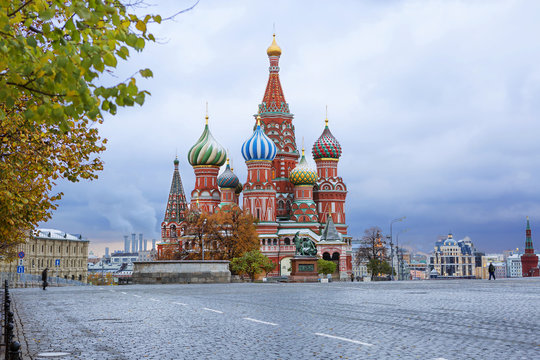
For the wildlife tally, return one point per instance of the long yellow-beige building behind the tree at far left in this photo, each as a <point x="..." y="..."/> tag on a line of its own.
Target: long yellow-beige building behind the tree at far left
<point x="65" y="255"/>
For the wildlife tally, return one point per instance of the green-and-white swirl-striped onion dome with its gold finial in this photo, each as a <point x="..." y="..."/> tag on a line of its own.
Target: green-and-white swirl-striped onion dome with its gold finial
<point x="207" y="151"/>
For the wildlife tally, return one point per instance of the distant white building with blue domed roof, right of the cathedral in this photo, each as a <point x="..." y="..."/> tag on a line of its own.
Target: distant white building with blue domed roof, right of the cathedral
<point x="453" y="258"/>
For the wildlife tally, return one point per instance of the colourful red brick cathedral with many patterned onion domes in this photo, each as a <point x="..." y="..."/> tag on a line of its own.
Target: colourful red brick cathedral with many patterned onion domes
<point x="284" y="193"/>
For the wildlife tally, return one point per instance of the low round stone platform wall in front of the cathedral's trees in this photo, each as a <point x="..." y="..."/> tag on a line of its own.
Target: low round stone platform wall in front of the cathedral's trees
<point x="181" y="272"/>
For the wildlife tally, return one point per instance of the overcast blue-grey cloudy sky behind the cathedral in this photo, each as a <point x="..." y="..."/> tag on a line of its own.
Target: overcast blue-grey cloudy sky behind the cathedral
<point x="435" y="104"/>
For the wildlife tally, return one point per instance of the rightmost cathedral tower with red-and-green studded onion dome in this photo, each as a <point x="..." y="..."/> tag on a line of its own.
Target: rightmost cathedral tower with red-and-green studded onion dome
<point x="330" y="191"/>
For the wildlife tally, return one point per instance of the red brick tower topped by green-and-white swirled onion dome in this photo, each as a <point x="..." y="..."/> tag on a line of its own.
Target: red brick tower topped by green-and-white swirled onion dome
<point x="206" y="157"/>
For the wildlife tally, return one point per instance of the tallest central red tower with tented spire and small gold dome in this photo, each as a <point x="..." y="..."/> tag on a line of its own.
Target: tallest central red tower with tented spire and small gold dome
<point x="276" y="120"/>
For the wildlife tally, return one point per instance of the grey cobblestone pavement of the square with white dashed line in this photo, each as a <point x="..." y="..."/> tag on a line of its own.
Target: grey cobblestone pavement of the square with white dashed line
<point x="456" y="319"/>
